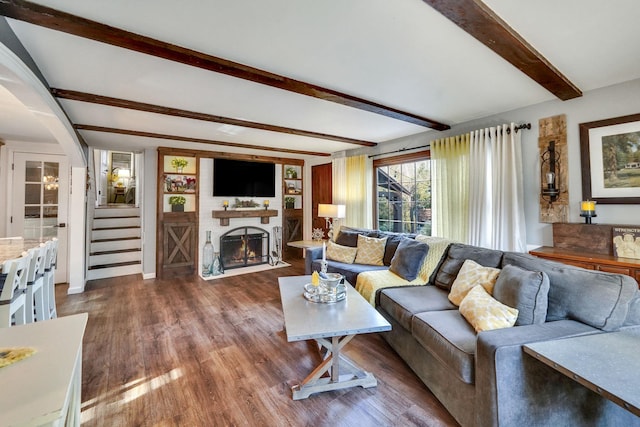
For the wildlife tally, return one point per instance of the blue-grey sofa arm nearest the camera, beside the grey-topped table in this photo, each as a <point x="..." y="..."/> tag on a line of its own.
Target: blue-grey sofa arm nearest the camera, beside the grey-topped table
<point x="512" y="388"/>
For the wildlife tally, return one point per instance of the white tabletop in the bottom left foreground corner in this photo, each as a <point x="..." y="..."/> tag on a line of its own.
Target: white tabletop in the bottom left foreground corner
<point x="45" y="388"/>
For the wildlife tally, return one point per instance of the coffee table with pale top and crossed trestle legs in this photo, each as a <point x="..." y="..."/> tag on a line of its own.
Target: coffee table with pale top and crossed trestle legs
<point x="332" y="326"/>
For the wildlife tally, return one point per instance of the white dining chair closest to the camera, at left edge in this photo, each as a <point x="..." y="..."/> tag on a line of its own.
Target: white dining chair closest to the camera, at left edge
<point x="13" y="295"/>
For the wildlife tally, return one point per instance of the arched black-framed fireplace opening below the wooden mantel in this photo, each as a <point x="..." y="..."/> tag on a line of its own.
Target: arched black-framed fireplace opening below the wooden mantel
<point x="243" y="247"/>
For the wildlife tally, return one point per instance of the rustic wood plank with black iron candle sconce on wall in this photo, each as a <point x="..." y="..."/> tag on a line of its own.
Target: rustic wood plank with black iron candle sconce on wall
<point x="552" y="143"/>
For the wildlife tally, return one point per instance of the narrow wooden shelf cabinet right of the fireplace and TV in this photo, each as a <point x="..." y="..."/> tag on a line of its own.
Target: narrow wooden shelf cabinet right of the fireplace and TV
<point x="292" y="203"/>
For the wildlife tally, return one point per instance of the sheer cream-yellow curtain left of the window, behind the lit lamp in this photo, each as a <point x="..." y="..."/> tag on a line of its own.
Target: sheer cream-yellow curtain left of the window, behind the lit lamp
<point x="352" y="187"/>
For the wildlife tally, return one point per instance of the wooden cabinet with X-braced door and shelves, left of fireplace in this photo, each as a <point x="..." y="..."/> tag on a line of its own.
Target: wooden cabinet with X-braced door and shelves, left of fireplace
<point x="177" y="224"/>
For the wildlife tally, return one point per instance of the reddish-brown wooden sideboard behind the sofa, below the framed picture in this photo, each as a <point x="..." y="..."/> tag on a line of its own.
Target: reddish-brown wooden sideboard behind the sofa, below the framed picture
<point x="606" y="263"/>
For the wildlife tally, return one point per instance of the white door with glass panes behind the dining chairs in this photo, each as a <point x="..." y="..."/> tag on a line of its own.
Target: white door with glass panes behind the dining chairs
<point x="40" y="202"/>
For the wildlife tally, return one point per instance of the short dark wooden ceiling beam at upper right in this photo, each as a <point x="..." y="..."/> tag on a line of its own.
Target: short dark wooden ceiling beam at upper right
<point x="477" y="19"/>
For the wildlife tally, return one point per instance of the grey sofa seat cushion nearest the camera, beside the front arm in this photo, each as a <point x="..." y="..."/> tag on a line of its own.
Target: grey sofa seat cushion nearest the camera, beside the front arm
<point x="450" y="339"/>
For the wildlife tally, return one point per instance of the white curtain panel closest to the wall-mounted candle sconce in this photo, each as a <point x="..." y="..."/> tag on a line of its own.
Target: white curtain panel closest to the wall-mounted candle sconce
<point x="496" y="203"/>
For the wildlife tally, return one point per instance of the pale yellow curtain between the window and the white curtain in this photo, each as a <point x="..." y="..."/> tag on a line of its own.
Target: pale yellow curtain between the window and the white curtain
<point x="450" y="187"/>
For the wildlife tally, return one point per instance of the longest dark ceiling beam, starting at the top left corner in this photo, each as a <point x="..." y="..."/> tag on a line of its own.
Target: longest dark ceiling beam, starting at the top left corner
<point x="81" y="27"/>
